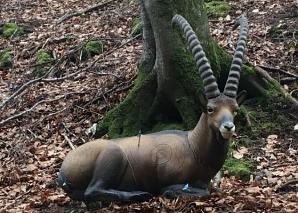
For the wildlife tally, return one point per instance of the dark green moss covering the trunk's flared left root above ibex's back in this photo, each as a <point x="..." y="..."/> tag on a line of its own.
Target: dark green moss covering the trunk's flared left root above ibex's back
<point x="131" y="115"/>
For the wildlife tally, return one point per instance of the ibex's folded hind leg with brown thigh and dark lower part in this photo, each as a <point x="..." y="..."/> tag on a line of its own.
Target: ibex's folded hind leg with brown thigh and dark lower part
<point x="109" y="170"/>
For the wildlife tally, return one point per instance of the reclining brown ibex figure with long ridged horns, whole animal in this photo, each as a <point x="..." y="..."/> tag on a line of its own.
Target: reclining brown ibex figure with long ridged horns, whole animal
<point x="169" y="162"/>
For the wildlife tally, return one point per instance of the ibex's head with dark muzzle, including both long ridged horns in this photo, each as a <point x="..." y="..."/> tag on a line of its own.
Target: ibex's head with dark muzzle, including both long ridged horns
<point x="219" y="106"/>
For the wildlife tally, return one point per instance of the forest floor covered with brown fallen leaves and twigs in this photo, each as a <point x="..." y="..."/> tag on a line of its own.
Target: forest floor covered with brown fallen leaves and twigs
<point x="37" y="124"/>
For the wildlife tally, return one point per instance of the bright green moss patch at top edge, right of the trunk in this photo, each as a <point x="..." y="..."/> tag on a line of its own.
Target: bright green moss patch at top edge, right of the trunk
<point x="217" y="8"/>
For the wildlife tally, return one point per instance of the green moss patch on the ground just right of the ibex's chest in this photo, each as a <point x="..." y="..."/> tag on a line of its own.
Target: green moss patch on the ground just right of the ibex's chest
<point x="238" y="167"/>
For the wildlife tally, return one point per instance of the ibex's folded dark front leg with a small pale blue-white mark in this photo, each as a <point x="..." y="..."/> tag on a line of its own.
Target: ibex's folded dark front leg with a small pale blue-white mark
<point x="176" y="190"/>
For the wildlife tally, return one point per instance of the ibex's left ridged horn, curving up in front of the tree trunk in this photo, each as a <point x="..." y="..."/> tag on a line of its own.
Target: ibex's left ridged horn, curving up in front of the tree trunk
<point x="209" y="81"/>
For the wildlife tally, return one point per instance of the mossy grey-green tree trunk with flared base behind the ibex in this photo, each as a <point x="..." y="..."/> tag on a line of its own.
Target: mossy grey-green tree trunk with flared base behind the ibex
<point x="168" y="86"/>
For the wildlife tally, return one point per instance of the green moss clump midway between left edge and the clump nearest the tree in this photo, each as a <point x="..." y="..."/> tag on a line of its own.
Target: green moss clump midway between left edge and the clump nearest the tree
<point x="43" y="60"/>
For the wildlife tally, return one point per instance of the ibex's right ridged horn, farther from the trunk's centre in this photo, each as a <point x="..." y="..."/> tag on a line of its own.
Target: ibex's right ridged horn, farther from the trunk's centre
<point x="232" y="83"/>
